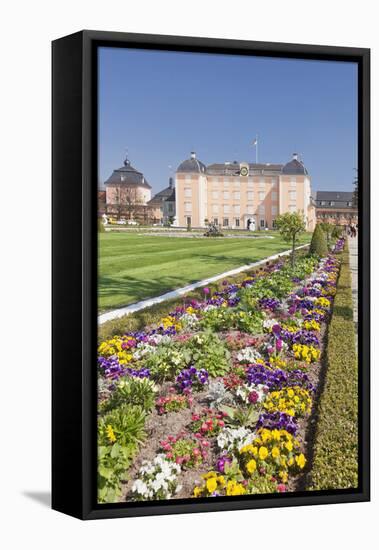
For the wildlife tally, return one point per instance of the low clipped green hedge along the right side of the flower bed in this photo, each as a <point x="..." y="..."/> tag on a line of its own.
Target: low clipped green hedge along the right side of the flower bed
<point x="335" y="462"/>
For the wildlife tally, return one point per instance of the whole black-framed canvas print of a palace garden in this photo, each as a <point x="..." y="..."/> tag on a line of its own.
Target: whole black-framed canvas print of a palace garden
<point x="210" y="274"/>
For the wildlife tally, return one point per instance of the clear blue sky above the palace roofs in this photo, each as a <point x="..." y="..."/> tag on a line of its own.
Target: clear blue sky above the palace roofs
<point x="161" y="105"/>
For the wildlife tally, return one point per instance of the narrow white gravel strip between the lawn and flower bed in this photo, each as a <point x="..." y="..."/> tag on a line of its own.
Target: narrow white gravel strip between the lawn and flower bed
<point x="120" y="312"/>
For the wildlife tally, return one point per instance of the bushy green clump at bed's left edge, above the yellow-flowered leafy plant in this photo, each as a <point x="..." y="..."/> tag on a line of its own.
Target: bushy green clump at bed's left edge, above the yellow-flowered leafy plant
<point x="132" y="391"/>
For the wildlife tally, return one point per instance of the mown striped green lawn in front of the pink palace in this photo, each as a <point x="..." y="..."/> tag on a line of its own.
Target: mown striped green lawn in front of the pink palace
<point x="133" y="267"/>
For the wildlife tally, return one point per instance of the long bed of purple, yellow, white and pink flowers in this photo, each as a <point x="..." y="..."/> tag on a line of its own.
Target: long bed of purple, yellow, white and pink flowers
<point x="218" y="392"/>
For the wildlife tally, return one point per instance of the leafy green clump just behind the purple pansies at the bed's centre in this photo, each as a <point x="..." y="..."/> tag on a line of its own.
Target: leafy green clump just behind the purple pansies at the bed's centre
<point x="207" y="351"/>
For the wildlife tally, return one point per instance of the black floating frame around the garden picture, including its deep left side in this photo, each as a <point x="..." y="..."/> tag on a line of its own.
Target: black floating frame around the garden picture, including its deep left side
<point x="74" y="315"/>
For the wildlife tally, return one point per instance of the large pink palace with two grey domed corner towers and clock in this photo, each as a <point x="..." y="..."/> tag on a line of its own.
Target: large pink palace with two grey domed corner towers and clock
<point x="241" y="194"/>
